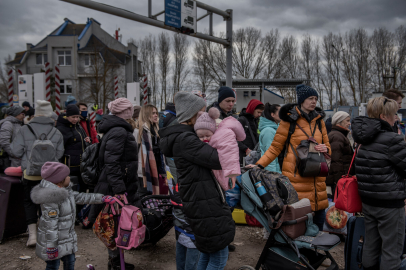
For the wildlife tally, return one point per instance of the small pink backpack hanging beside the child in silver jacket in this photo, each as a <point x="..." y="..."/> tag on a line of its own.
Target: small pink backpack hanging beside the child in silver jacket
<point x="131" y="230"/>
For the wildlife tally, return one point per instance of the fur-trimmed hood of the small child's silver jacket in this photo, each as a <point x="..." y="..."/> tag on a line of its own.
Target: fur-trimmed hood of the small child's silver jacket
<point x="47" y="192"/>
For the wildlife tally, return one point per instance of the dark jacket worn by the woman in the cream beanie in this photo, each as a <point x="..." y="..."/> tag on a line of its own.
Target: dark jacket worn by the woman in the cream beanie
<point x="341" y="155"/>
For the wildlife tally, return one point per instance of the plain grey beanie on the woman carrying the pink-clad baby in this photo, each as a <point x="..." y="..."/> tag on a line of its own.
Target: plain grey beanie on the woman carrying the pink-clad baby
<point x="187" y="105"/>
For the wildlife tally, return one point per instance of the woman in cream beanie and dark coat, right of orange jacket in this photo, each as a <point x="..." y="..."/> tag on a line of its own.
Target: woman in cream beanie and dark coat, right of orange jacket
<point x="341" y="150"/>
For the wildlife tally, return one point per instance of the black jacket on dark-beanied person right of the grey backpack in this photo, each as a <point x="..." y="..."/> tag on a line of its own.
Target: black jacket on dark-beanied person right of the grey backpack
<point x="74" y="143"/>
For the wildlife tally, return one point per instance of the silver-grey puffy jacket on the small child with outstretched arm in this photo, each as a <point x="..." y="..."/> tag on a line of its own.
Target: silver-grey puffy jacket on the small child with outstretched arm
<point x="56" y="227"/>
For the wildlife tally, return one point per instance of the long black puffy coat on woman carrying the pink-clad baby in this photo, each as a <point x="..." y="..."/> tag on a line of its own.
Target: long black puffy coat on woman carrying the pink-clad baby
<point x="203" y="200"/>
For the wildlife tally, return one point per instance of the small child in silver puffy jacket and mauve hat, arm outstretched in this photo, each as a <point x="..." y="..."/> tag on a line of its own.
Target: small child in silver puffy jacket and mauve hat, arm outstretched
<point x="56" y="237"/>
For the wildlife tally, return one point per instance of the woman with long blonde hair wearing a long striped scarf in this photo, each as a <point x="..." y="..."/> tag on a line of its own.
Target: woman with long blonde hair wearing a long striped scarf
<point x="151" y="166"/>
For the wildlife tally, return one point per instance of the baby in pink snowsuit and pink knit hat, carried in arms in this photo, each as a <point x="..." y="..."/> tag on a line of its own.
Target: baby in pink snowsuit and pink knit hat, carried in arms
<point x="224" y="139"/>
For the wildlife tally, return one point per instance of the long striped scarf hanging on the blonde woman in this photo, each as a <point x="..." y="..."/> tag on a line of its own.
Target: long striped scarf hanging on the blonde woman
<point x="149" y="168"/>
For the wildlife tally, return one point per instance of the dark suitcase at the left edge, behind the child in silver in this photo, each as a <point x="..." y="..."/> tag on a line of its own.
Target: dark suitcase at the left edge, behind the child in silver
<point x="12" y="213"/>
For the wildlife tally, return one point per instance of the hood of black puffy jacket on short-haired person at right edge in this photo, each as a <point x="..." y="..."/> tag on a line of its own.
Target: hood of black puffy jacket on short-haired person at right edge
<point x="365" y="129"/>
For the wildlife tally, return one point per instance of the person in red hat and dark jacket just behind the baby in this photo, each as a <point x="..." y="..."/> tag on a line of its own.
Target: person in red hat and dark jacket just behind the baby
<point x="249" y="118"/>
